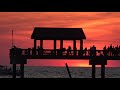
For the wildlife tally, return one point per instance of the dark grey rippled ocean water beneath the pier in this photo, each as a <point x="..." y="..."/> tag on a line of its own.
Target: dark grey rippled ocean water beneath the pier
<point x="61" y="72"/>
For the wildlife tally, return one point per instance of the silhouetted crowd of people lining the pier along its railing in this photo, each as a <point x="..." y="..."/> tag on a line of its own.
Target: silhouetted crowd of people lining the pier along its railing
<point x="92" y="51"/>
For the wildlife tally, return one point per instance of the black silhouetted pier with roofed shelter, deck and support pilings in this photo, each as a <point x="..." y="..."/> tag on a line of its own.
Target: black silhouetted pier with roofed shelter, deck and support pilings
<point x="95" y="57"/>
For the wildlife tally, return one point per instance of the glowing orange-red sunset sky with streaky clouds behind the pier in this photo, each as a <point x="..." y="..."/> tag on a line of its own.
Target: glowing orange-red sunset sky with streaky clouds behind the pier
<point x="100" y="28"/>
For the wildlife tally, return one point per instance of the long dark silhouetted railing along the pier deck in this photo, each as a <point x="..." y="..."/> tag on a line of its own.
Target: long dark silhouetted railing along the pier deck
<point x="59" y="52"/>
